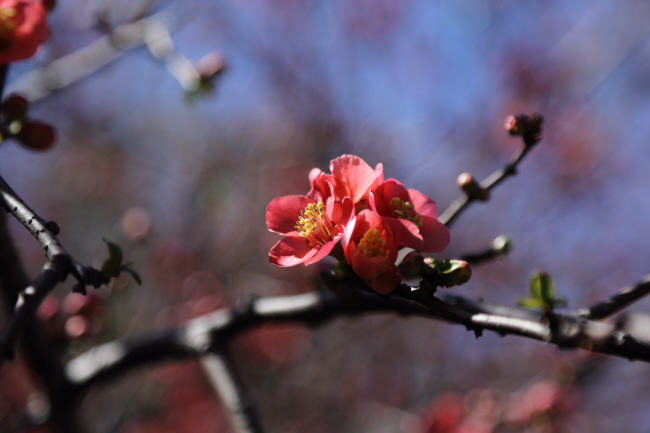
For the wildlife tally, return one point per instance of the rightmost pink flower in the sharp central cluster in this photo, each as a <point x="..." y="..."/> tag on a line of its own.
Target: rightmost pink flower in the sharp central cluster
<point x="411" y="216"/>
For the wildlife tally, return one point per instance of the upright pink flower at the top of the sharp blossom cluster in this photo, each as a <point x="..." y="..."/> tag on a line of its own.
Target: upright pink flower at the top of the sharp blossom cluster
<point x="351" y="177"/>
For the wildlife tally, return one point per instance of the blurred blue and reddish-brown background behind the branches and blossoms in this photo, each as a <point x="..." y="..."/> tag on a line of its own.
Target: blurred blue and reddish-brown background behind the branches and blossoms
<point x="182" y="183"/>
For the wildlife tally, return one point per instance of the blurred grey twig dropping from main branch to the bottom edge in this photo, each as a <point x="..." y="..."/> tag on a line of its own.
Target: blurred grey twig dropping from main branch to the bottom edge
<point x="241" y="405"/>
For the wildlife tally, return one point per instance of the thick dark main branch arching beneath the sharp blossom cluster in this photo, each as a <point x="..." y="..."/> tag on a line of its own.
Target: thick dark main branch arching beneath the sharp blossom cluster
<point x="351" y="297"/>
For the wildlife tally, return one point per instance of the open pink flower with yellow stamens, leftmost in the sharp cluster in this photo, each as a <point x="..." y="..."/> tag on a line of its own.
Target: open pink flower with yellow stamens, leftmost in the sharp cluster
<point x="312" y="228"/>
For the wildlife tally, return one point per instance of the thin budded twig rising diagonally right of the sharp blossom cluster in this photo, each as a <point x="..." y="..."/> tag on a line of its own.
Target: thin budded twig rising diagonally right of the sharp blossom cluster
<point x="530" y="129"/>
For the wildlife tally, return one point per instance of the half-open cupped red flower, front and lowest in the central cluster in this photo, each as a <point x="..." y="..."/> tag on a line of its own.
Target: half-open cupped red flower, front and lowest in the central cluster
<point x="369" y="246"/>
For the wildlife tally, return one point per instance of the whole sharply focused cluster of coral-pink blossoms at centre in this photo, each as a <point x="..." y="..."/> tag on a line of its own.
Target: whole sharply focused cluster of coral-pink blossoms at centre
<point x="355" y="207"/>
